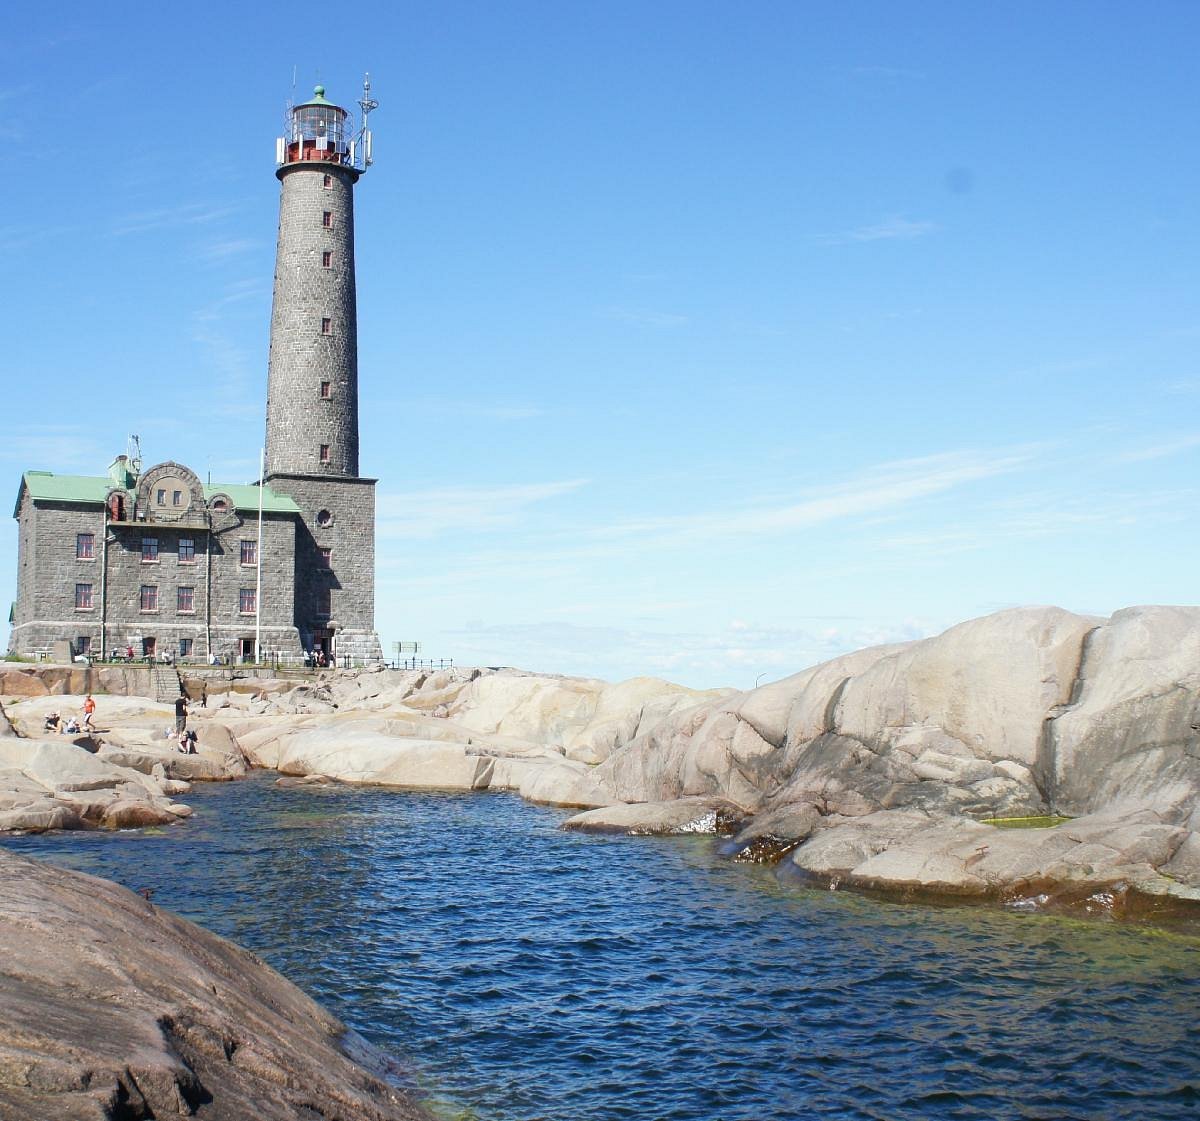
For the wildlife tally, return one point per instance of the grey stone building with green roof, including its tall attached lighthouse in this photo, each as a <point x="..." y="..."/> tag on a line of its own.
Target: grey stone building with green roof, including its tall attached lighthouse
<point x="155" y="561"/>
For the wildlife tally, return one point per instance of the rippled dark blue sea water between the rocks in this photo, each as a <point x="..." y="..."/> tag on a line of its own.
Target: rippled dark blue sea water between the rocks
<point x="525" y="974"/>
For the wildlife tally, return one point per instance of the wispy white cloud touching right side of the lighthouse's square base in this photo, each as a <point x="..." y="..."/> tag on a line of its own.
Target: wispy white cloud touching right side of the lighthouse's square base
<point x="464" y="509"/>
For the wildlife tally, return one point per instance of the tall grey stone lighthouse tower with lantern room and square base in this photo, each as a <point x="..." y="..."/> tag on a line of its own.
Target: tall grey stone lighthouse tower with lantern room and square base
<point x="313" y="392"/>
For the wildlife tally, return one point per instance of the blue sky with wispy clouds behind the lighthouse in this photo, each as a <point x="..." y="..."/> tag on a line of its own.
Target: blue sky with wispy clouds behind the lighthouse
<point x="698" y="340"/>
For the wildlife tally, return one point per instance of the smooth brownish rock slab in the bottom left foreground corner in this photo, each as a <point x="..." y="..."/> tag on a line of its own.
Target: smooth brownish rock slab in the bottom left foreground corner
<point x="113" y="1009"/>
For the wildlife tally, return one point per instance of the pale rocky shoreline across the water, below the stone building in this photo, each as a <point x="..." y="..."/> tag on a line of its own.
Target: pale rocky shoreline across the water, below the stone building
<point x="881" y="771"/>
